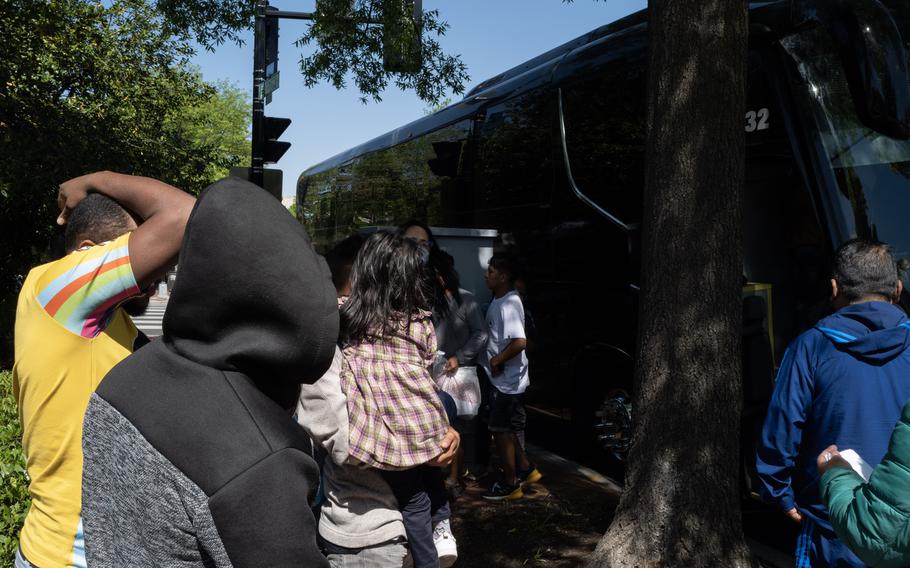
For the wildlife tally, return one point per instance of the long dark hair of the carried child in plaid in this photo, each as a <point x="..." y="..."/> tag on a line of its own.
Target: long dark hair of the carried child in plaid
<point x="390" y="280"/>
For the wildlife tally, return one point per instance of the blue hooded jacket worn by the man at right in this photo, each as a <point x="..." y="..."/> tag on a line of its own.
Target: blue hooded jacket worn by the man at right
<point x="842" y="382"/>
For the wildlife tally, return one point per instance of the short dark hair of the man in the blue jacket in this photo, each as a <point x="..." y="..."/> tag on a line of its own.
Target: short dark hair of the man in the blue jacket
<point x="864" y="268"/>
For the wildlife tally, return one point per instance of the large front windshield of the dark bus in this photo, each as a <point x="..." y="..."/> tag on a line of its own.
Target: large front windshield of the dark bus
<point x="871" y="170"/>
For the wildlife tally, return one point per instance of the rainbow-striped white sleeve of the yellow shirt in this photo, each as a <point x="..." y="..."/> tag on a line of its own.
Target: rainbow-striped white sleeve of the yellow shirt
<point x="82" y="290"/>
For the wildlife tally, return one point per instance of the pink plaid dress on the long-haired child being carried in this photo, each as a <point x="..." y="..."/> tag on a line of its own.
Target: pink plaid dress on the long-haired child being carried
<point x="396" y="418"/>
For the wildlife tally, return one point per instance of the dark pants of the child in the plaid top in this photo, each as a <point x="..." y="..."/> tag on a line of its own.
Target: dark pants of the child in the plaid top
<point x="422" y="500"/>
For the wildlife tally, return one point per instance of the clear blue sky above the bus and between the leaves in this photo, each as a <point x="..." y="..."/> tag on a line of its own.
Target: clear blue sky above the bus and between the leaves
<point x="491" y="36"/>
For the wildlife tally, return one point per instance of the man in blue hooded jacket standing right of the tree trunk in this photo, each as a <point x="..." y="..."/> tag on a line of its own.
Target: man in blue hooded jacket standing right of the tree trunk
<point x="842" y="382"/>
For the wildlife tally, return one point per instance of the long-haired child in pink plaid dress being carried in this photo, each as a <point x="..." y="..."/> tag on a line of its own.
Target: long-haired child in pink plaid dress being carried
<point x="396" y="421"/>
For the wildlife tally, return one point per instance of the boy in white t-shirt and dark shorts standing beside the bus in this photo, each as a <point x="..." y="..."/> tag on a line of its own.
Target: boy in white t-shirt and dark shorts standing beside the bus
<point x="506" y="363"/>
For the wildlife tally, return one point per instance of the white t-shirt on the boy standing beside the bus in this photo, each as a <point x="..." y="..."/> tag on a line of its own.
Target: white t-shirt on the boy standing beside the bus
<point x="505" y="322"/>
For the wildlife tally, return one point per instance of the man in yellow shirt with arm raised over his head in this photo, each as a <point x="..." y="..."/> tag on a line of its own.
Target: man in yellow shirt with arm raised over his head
<point x="71" y="329"/>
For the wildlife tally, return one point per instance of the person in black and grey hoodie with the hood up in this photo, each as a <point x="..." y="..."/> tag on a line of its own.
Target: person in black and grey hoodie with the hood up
<point x="191" y="456"/>
